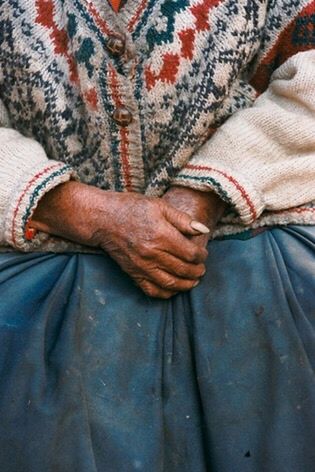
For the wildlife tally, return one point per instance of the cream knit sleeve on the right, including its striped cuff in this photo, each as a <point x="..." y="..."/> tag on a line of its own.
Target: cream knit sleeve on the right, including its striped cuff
<point x="263" y="158"/>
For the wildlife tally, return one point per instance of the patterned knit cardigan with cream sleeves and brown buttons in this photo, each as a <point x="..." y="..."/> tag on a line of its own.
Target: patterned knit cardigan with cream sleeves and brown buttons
<point x="141" y="100"/>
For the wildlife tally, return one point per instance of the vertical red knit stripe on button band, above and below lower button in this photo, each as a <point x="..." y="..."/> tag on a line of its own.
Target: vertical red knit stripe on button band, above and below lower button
<point x="124" y="132"/>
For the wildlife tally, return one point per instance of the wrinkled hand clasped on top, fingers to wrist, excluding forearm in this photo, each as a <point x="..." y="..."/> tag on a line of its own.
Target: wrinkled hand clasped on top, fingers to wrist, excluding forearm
<point x="146" y="238"/>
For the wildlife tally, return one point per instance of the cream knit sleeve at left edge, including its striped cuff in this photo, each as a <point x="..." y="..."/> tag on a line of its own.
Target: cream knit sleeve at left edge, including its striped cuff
<point x="26" y="174"/>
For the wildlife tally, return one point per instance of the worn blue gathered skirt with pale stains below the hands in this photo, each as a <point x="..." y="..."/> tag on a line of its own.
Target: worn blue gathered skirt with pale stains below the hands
<point x="96" y="376"/>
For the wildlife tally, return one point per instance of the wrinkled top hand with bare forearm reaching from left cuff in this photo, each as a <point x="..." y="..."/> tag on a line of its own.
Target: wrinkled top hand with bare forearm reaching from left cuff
<point x="146" y="236"/>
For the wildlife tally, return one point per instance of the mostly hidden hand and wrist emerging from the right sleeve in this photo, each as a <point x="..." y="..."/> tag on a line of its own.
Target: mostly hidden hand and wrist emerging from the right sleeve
<point x="205" y="207"/>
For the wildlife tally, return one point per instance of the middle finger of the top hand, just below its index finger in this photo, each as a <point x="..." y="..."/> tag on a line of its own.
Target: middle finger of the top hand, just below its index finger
<point x="178" y="267"/>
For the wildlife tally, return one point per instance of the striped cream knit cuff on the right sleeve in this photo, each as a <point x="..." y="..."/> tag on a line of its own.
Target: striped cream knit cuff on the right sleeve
<point x="229" y="185"/>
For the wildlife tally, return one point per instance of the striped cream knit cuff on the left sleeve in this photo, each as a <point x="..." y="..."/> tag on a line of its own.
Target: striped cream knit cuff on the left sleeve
<point x="37" y="181"/>
